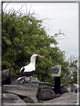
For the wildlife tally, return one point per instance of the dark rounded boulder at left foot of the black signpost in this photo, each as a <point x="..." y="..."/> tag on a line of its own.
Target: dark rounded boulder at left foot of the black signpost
<point x="45" y="94"/>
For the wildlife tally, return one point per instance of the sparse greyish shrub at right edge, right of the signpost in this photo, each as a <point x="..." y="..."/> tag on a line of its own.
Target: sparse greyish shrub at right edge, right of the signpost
<point x="71" y="75"/>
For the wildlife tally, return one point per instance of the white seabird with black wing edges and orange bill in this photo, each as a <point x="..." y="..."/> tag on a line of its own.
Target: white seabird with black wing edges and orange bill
<point x="28" y="70"/>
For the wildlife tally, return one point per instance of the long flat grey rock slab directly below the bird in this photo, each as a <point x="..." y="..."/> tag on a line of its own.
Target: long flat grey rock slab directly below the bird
<point x="24" y="89"/>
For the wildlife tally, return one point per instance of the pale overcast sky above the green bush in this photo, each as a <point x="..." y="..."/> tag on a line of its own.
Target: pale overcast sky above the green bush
<point x="58" y="16"/>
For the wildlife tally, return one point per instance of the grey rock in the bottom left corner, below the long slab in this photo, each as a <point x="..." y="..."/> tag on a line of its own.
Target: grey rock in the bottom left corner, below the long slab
<point x="11" y="98"/>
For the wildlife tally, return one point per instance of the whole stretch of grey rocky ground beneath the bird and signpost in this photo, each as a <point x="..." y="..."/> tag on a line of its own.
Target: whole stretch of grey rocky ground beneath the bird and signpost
<point x="35" y="92"/>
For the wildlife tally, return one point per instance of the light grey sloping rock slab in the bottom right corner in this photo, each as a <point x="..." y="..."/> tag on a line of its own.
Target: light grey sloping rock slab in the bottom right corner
<point x="64" y="98"/>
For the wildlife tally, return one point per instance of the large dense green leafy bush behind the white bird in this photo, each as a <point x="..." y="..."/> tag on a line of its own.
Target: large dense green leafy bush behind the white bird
<point x="24" y="36"/>
